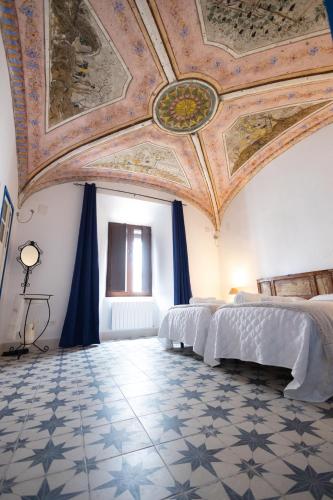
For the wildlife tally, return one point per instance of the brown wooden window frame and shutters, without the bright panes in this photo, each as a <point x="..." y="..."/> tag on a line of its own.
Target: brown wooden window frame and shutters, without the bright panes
<point x="130" y="228"/>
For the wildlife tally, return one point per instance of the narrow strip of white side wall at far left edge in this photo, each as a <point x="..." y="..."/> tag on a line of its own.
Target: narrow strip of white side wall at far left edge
<point x="8" y="165"/>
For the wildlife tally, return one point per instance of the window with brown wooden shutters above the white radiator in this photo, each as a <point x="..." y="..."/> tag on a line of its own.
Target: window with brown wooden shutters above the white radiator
<point x="129" y="261"/>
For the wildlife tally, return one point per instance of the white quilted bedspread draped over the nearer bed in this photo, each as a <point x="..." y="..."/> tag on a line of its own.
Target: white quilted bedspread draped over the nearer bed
<point x="277" y="337"/>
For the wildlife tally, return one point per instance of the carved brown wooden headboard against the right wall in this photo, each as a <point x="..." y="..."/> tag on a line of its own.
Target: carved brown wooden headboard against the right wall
<point x="304" y="285"/>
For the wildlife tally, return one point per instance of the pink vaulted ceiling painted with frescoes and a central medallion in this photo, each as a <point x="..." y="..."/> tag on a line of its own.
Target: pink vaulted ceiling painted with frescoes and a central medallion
<point x="191" y="97"/>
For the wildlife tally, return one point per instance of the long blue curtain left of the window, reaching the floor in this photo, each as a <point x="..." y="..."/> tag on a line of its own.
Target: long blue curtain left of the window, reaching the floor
<point x="81" y="326"/>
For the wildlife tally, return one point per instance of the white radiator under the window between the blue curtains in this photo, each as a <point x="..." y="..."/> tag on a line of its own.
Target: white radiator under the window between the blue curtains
<point x="132" y="315"/>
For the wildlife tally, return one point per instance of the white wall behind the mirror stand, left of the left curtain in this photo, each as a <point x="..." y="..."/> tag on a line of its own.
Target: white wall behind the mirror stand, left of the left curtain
<point x="54" y="227"/>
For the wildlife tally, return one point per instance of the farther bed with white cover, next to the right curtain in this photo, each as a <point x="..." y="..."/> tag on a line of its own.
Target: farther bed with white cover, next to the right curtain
<point x="188" y="324"/>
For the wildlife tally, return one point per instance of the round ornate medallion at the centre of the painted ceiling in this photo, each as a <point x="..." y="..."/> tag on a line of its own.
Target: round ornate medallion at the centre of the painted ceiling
<point x="186" y="106"/>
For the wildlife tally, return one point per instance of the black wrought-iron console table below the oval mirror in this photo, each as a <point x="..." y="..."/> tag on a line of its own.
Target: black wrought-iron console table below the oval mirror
<point x="21" y="348"/>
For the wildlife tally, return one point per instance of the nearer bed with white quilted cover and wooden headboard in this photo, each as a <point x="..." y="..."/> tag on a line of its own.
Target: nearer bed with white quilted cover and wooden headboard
<point x="285" y="334"/>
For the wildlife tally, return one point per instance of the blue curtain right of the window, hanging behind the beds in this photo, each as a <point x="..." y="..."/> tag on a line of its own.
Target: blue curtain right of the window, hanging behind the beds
<point x="181" y="275"/>
